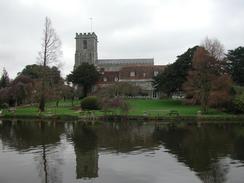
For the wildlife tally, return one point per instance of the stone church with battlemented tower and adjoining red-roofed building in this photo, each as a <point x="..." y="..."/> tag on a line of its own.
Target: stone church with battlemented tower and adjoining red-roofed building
<point x="136" y="71"/>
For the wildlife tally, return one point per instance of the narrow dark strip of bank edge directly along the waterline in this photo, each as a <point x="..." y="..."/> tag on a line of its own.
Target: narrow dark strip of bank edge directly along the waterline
<point x="120" y="118"/>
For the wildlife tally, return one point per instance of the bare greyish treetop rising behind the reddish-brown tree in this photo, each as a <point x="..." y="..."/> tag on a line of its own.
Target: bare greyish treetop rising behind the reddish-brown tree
<point x="214" y="48"/>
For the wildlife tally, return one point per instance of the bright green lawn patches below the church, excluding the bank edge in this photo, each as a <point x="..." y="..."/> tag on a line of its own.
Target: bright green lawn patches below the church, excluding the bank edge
<point x="137" y="107"/>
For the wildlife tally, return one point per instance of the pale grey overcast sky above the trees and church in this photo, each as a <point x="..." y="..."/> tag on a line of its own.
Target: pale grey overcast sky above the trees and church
<point x="159" y="29"/>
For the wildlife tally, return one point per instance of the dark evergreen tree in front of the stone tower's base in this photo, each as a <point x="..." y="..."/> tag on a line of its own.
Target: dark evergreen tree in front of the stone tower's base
<point x="85" y="76"/>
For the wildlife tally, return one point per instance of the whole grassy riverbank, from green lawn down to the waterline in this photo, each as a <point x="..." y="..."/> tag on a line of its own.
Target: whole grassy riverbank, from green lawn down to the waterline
<point x="140" y="110"/>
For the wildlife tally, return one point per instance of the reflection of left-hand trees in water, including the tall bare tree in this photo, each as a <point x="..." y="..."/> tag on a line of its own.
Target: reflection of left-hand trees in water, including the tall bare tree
<point x="24" y="136"/>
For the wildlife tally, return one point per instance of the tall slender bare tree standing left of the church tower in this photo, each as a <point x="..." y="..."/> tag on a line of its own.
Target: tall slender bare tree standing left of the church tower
<point x="49" y="54"/>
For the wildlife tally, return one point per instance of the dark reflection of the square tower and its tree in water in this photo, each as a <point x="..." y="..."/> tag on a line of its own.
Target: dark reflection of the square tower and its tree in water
<point x="85" y="145"/>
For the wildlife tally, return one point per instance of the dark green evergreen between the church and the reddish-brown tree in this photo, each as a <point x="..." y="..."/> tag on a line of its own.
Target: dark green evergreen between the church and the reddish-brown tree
<point x="174" y="75"/>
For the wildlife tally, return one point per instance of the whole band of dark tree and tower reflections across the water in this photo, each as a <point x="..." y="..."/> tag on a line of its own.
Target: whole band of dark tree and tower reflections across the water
<point x="202" y="149"/>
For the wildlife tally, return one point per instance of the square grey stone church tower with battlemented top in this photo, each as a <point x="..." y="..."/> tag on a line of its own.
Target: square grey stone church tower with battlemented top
<point x="86" y="48"/>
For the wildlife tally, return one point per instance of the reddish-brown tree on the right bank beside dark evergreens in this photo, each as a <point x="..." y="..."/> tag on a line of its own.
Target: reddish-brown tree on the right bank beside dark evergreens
<point x="205" y="85"/>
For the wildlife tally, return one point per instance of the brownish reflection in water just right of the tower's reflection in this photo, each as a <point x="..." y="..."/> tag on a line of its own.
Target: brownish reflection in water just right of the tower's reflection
<point x="126" y="137"/>
